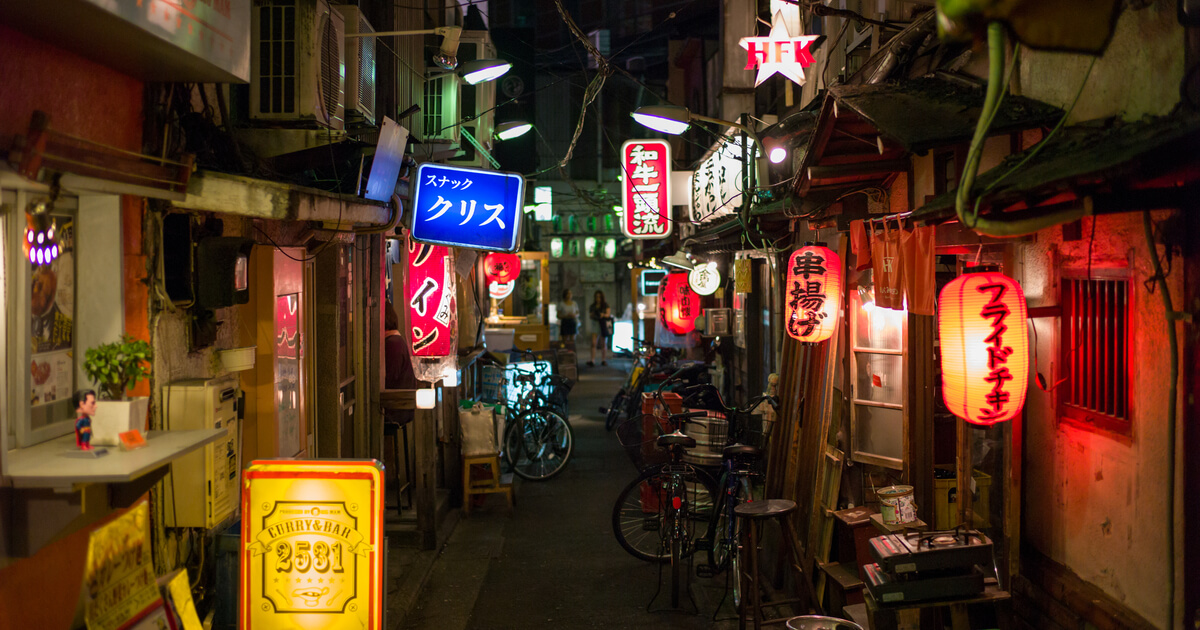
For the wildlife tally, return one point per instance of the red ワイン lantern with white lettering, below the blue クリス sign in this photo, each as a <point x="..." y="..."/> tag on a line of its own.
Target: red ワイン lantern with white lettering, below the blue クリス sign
<point x="433" y="310"/>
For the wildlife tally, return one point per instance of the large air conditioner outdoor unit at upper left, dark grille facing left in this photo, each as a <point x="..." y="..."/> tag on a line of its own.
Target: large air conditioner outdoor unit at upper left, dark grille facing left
<point x="298" y="69"/>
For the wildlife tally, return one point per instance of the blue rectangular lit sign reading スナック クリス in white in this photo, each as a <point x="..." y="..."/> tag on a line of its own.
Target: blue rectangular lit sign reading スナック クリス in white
<point x="469" y="208"/>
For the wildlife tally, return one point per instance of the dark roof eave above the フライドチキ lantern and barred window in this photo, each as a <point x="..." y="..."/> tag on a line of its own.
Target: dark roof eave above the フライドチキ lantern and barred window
<point x="1121" y="166"/>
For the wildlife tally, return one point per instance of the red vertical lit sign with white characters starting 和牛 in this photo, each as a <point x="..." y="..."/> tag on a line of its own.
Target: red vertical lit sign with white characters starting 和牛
<point x="646" y="197"/>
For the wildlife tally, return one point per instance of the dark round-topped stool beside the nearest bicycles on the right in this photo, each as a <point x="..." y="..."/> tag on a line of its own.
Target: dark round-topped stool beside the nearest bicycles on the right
<point x="752" y="515"/>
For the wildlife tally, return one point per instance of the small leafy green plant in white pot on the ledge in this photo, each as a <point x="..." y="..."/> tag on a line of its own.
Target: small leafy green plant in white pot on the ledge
<point x="116" y="369"/>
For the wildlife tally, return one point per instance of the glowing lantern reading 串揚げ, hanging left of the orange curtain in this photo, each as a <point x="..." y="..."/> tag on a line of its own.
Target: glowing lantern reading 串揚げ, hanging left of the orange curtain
<point x="813" y="295"/>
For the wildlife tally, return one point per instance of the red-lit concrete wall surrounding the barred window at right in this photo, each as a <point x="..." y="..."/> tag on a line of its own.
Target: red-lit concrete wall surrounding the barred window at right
<point x="1093" y="503"/>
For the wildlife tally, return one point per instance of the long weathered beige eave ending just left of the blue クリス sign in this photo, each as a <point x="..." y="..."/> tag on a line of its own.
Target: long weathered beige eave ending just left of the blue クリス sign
<point x="232" y="195"/>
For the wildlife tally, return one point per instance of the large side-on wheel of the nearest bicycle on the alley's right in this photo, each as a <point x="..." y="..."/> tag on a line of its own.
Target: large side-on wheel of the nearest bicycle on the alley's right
<point x="640" y="517"/>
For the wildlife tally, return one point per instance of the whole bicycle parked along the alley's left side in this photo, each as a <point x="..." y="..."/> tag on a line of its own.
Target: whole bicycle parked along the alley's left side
<point x="539" y="441"/>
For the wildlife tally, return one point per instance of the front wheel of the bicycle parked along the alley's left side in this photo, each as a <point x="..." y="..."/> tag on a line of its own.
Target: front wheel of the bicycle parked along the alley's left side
<point x="539" y="445"/>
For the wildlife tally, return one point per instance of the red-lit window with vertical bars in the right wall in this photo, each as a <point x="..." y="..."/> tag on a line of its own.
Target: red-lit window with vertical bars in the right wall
<point x="1095" y="351"/>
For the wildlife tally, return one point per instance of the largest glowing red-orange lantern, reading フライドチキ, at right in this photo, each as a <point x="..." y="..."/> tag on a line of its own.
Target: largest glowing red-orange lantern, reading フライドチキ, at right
<point x="986" y="347"/>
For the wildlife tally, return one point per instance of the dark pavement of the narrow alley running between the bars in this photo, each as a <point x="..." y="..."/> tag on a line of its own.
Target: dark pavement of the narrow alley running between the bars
<point x="554" y="562"/>
